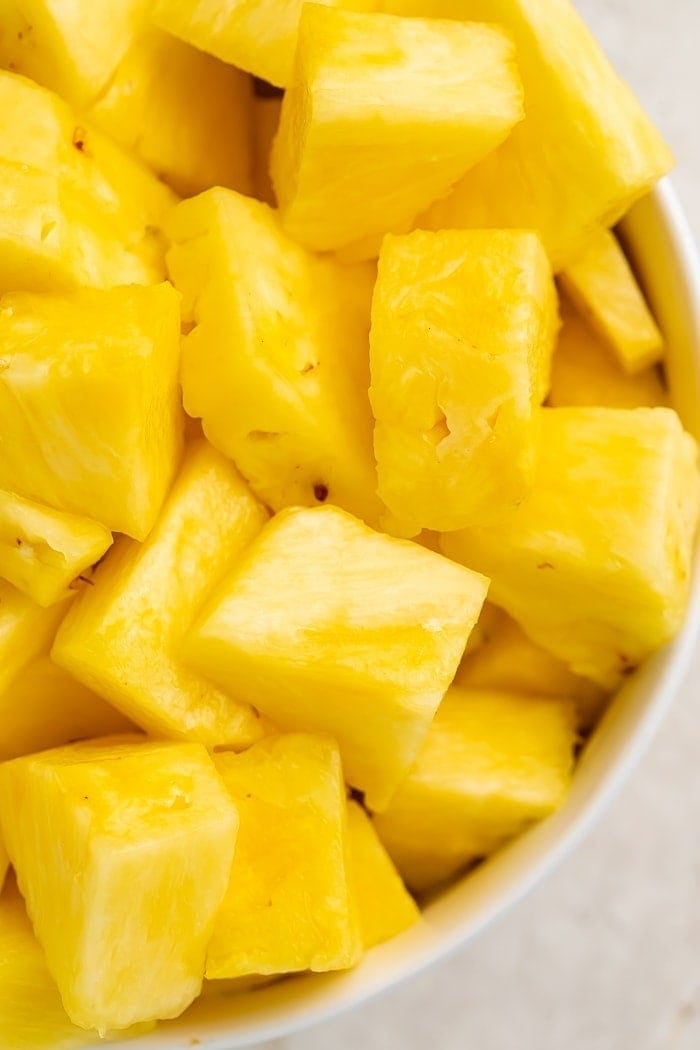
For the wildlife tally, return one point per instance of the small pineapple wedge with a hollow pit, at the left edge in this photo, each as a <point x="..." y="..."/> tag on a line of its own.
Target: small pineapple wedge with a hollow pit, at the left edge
<point x="44" y="552"/>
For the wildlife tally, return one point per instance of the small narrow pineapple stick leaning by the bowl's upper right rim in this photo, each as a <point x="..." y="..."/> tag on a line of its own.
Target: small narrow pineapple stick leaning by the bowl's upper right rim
<point x="602" y="285"/>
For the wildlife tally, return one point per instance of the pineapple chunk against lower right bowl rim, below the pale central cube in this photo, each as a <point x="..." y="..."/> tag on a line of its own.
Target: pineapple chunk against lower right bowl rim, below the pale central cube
<point x="493" y="764"/>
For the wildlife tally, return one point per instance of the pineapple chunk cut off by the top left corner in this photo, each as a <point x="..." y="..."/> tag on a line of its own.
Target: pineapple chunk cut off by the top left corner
<point x="72" y="48"/>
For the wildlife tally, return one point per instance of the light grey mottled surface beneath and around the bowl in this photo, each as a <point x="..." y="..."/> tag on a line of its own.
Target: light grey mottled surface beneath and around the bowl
<point x="605" y="955"/>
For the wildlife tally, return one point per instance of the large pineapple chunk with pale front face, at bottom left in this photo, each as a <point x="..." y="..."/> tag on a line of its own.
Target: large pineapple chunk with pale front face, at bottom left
<point x="126" y="867"/>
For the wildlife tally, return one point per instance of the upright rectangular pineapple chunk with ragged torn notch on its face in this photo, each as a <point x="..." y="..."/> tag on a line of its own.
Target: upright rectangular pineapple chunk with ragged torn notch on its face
<point x="463" y="327"/>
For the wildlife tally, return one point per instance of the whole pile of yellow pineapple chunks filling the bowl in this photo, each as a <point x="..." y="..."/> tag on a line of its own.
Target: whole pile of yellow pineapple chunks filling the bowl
<point x="289" y="392"/>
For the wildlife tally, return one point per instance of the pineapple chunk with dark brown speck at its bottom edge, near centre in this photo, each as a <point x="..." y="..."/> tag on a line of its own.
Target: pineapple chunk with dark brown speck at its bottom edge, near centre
<point x="277" y="364"/>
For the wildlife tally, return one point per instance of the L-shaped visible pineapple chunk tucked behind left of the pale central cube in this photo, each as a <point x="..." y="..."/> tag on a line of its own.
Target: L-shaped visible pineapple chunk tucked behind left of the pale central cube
<point x="123" y="637"/>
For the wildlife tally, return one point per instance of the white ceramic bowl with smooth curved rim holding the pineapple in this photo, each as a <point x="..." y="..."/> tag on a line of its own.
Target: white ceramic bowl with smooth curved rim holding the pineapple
<point x="661" y="245"/>
